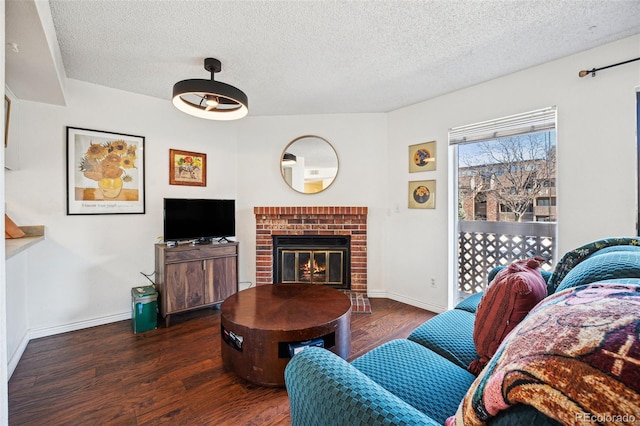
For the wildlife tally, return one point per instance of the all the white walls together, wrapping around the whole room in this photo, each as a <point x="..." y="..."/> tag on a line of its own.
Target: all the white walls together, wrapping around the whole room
<point x="82" y="273"/>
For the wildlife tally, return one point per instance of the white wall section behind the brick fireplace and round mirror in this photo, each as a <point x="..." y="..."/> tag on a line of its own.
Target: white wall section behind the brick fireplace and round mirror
<point x="360" y="142"/>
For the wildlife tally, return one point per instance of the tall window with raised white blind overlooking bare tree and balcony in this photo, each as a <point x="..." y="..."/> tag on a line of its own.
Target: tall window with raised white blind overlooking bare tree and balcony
<point x="505" y="190"/>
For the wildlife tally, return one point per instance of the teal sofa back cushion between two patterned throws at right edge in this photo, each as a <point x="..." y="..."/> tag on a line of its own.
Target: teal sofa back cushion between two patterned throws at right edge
<point x="605" y="266"/>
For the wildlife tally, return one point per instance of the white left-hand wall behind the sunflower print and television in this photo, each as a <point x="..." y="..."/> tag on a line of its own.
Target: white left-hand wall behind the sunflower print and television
<point x="83" y="272"/>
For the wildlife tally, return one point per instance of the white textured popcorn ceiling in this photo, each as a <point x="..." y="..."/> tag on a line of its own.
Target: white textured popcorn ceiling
<point x="304" y="57"/>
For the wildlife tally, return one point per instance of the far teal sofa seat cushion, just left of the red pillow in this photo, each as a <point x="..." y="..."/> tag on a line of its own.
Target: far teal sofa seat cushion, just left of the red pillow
<point x="449" y="334"/>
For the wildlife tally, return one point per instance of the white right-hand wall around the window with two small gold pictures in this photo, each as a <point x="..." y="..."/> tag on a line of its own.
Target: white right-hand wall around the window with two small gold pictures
<point x="596" y="181"/>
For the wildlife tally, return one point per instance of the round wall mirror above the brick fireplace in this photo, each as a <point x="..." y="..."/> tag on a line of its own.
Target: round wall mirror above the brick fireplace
<point x="309" y="164"/>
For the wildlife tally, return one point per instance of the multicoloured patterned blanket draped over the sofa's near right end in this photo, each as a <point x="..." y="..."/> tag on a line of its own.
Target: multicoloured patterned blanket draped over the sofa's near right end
<point x="575" y="358"/>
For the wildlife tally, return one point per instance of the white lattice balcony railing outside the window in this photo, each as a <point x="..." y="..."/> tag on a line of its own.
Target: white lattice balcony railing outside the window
<point x="483" y="245"/>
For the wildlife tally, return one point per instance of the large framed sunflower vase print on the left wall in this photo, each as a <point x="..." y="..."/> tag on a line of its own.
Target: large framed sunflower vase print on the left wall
<point x="105" y="172"/>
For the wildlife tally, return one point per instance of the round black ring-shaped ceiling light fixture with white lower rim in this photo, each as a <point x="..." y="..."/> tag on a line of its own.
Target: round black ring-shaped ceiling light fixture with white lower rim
<point x="210" y="99"/>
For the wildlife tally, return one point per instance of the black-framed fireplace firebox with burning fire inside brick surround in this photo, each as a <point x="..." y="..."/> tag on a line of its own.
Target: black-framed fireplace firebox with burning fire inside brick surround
<point x="314" y="259"/>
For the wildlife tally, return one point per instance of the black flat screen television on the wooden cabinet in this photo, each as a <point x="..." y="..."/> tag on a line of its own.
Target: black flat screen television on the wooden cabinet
<point x="198" y="219"/>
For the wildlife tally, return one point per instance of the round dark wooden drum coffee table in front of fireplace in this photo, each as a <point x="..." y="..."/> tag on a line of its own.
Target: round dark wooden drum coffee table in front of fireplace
<point x="261" y="327"/>
